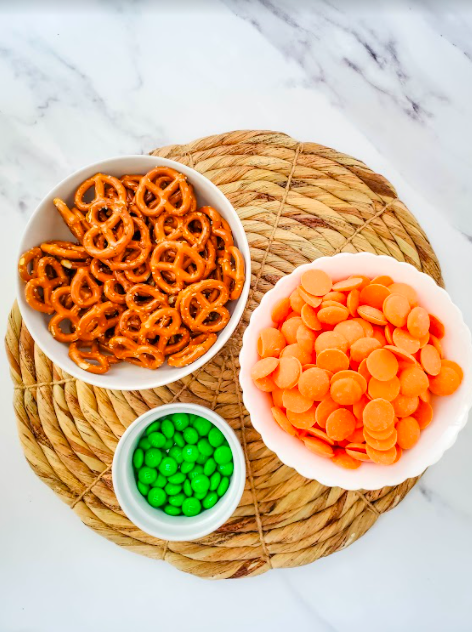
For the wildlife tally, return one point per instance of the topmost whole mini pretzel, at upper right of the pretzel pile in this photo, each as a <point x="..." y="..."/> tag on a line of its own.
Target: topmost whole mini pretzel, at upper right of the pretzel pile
<point x="177" y="182"/>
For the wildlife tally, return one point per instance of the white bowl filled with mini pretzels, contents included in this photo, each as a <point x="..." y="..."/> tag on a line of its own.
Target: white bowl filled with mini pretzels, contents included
<point x="133" y="272"/>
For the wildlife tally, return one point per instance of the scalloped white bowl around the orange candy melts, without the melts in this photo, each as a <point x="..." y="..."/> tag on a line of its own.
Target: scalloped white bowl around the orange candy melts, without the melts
<point x="450" y="413"/>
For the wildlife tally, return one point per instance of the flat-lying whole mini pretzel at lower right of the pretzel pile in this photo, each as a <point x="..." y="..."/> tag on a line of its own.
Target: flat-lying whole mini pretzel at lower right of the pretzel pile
<point x="199" y="310"/>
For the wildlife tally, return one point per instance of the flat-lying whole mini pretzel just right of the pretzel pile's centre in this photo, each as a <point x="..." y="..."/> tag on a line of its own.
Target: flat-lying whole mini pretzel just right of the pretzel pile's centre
<point x="186" y="266"/>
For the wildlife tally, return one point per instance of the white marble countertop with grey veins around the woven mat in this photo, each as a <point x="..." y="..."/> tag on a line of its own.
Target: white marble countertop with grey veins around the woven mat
<point x="389" y="82"/>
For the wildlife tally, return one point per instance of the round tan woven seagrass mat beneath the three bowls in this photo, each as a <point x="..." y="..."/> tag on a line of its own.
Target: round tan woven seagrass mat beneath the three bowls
<point x="297" y="201"/>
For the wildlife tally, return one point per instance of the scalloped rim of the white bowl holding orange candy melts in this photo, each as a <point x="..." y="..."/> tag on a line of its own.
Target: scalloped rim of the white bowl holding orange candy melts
<point x="419" y="466"/>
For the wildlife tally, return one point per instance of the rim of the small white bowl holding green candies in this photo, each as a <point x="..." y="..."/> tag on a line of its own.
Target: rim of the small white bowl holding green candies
<point x="123" y="490"/>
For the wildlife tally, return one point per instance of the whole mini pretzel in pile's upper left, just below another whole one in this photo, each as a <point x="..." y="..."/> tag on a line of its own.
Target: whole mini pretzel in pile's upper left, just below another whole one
<point x="119" y="218"/>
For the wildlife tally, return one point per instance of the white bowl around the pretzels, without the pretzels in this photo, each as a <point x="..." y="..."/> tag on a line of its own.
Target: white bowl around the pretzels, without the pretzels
<point x="46" y="224"/>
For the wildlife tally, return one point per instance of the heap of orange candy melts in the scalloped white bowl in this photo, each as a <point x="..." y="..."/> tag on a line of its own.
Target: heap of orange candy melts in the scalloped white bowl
<point x="352" y="367"/>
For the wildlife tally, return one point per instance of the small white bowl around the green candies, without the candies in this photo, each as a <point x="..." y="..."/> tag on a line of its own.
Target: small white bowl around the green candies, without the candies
<point x="155" y="521"/>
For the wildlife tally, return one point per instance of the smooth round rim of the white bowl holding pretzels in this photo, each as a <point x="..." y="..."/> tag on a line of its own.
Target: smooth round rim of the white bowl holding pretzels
<point x="108" y="380"/>
